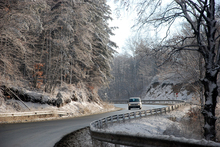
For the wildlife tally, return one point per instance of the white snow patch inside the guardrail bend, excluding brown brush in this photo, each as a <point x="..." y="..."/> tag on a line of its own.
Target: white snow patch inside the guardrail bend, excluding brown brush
<point x="152" y="125"/>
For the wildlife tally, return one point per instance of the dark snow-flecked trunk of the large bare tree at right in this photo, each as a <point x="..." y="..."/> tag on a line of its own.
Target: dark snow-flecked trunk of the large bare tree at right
<point x="210" y="80"/>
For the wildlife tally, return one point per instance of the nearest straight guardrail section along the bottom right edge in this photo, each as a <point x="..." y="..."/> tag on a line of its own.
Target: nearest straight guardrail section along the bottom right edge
<point x="103" y="139"/>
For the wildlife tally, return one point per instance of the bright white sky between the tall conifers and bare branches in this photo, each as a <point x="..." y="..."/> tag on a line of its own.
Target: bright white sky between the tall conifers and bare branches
<point x="127" y="20"/>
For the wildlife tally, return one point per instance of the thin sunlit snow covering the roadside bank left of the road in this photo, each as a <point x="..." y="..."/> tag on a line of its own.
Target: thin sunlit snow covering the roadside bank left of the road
<point x="78" y="107"/>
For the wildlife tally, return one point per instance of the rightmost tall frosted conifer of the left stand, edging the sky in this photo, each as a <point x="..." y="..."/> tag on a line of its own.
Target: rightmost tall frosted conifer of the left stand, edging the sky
<point x="101" y="46"/>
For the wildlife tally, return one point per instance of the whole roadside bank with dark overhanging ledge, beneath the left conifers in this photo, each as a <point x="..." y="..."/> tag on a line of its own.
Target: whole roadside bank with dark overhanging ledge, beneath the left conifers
<point x="73" y="101"/>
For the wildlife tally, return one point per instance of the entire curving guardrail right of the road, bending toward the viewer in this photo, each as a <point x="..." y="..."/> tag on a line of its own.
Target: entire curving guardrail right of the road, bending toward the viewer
<point x="101" y="138"/>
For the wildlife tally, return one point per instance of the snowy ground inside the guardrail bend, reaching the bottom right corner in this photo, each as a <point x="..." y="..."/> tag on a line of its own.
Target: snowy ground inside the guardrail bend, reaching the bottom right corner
<point x="166" y="126"/>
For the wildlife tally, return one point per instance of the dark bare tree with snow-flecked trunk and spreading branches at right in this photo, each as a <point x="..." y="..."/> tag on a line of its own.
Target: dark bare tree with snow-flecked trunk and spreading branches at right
<point x="201" y="16"/>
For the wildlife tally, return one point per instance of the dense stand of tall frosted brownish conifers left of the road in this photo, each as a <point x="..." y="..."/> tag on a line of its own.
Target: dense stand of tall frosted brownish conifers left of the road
<point x="45" y="44"/>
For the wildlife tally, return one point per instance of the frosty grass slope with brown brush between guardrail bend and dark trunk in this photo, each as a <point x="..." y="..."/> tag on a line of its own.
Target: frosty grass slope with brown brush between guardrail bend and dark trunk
<point x="176" y="123"/>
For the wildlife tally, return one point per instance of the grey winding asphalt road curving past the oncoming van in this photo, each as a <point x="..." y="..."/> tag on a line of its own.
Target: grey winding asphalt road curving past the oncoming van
<point x="47" y="133"/>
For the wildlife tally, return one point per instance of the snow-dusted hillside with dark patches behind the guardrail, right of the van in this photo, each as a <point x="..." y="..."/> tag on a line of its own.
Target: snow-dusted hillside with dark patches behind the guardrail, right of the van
<point x="172" y="86"/>
